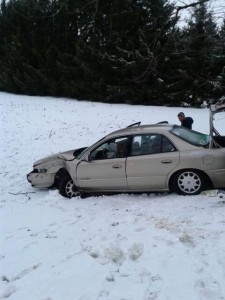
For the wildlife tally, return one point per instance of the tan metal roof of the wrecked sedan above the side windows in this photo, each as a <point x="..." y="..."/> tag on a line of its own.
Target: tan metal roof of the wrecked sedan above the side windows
<point x="142" y="129"/>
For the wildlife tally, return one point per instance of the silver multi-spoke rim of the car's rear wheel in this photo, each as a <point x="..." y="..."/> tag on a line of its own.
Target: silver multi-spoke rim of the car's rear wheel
<point x="189" y="182"/>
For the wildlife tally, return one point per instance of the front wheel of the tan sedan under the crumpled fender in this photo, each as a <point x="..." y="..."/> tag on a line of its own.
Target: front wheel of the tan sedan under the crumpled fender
<point x="67" y="187"/>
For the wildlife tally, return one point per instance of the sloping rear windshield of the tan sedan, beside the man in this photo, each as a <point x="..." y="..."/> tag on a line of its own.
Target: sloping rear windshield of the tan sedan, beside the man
<point x="190" y="136"/>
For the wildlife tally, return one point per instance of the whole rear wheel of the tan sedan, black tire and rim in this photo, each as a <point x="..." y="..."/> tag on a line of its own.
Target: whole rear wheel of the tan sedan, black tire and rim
<point x="188" y="182"/>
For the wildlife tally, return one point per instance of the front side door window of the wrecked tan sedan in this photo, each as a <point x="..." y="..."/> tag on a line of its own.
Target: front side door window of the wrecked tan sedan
<point x="113" y="148"/>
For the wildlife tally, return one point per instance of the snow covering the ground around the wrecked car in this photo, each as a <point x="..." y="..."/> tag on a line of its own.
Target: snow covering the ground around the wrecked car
<point x="123" y="247"/>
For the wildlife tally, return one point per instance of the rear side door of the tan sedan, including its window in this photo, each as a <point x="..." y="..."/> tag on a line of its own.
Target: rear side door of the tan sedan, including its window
<point x="152" y="157"/>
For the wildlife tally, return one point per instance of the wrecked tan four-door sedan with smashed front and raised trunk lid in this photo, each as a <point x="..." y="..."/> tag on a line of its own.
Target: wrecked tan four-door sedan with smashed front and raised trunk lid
<point x="160" y="157"/>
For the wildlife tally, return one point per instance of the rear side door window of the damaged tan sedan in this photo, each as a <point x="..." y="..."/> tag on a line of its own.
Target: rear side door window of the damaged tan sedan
<point x="150" y="144"/>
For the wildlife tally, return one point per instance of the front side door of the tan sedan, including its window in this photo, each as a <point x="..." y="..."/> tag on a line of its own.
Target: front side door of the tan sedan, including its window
<point x="105" y="168"/>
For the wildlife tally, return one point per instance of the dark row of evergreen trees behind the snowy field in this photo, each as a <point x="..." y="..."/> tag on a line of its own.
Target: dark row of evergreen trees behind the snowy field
<point x="130" y="51"/>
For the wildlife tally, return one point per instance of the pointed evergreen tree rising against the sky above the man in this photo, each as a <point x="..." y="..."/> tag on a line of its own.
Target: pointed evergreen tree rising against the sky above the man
<point x="200" y="62"/>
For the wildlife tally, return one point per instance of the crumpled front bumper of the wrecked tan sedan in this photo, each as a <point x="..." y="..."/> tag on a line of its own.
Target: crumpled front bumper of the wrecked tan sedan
<point x="41" y="180"/>
